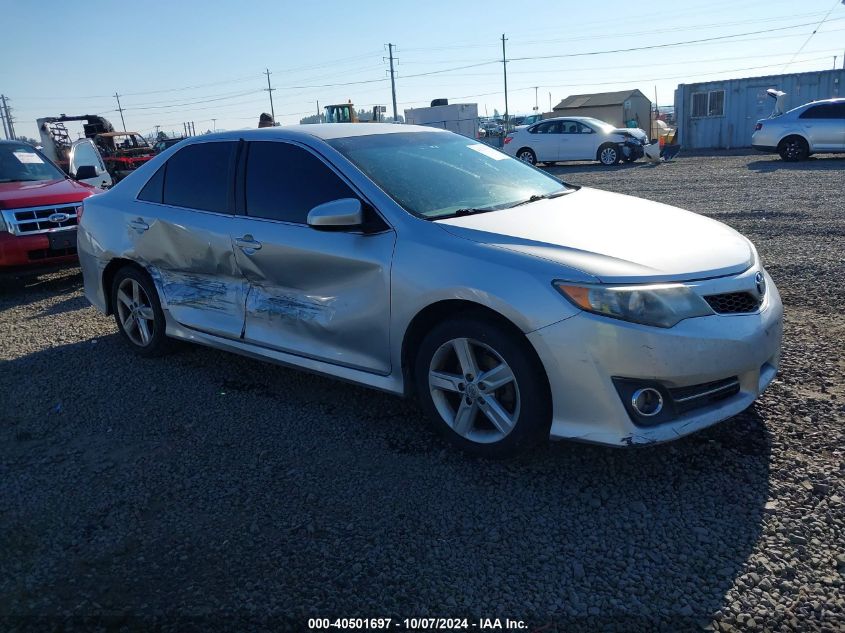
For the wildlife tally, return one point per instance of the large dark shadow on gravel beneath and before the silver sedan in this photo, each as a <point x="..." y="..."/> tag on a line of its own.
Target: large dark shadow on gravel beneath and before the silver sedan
<point x="151" y="476"/>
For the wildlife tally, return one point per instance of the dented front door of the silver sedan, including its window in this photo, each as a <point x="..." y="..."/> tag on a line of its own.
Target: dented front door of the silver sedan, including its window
<point x="318" y="294"/>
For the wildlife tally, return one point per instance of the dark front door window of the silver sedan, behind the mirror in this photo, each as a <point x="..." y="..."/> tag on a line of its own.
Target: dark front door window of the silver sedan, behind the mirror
<point x="284" y="182"/>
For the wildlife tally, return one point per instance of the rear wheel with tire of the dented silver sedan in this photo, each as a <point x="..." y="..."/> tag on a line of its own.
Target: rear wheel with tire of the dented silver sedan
<point x="138" y="313"/>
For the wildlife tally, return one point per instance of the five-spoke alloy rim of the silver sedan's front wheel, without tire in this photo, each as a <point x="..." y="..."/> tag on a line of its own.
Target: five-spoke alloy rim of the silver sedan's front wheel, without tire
<point x="474" y="390"/>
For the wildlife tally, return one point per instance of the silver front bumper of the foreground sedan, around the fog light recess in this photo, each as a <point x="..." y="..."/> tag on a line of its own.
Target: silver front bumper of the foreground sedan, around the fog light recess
<point x="582" y="355"/>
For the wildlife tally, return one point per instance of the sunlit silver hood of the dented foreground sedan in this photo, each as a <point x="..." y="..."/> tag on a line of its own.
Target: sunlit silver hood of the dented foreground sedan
<point x="612" y="237"/>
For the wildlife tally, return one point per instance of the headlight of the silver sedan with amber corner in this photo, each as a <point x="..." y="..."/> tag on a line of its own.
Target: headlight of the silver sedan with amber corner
<point x="662" y="305"/>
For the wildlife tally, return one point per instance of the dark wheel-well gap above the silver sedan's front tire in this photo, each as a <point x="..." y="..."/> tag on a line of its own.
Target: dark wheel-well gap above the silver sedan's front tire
<point x="436" y="313"/>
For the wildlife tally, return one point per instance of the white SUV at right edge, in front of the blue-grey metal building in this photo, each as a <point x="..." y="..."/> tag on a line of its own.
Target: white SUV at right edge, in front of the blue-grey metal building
<point x="813" y="128"/>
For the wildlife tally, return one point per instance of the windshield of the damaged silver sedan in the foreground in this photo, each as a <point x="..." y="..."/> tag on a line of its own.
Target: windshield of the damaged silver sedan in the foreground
<point x="436" y="174"/>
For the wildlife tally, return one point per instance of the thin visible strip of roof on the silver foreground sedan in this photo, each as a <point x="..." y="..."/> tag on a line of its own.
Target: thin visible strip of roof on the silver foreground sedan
<point x="323" y="131"/>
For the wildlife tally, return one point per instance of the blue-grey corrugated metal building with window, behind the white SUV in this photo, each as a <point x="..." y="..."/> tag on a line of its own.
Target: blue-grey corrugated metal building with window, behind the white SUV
<point x="722" y="114"/>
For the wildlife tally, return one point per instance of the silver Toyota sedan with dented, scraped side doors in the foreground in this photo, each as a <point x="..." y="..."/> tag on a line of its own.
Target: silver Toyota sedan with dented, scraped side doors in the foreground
<point x="417" y="261"/>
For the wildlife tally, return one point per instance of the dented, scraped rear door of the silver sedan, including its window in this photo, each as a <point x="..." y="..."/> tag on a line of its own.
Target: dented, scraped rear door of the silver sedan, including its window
<point x="181" y="227"/>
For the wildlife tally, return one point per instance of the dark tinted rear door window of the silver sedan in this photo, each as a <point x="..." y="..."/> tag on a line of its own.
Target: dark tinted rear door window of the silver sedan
<point x="200" y="177"/>
